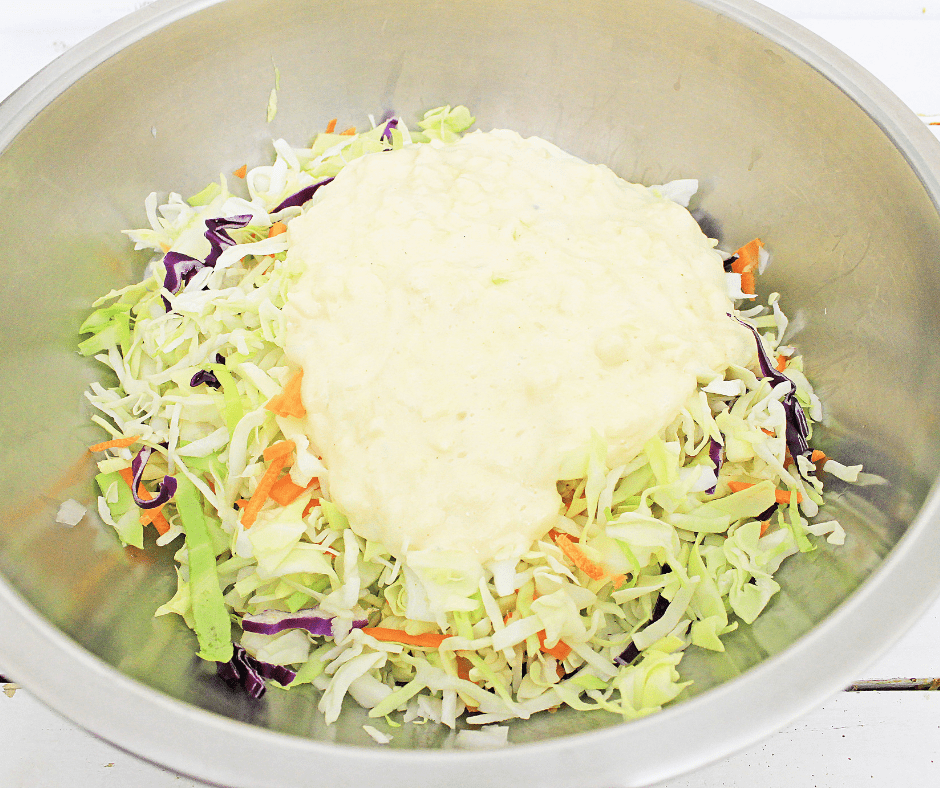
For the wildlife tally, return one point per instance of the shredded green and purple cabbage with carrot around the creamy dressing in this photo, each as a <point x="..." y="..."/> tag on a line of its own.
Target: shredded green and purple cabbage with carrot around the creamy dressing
<point x="674" y="549"/>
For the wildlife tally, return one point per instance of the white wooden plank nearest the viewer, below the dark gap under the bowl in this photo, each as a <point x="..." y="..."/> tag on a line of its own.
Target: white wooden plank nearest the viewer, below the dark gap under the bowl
<point x="877" y="739"/>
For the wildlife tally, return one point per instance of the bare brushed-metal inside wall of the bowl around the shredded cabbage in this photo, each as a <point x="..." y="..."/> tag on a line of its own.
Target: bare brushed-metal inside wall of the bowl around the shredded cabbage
<point x="655" y="89"/>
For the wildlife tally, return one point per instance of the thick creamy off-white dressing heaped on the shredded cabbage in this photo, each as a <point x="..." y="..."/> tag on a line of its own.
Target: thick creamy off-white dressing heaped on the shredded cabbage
<point x="471" y="312"/>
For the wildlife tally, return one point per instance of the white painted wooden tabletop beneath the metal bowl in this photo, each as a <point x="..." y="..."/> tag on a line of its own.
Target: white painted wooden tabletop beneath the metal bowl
<point x="878" y="739"/>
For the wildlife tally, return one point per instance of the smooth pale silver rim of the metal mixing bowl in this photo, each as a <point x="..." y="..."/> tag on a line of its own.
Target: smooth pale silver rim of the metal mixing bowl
<point x="255" y="755"/>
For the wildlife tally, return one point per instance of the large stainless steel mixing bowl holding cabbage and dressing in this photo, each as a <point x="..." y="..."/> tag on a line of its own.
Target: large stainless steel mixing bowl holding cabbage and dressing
<point x="792" y="142"/>
